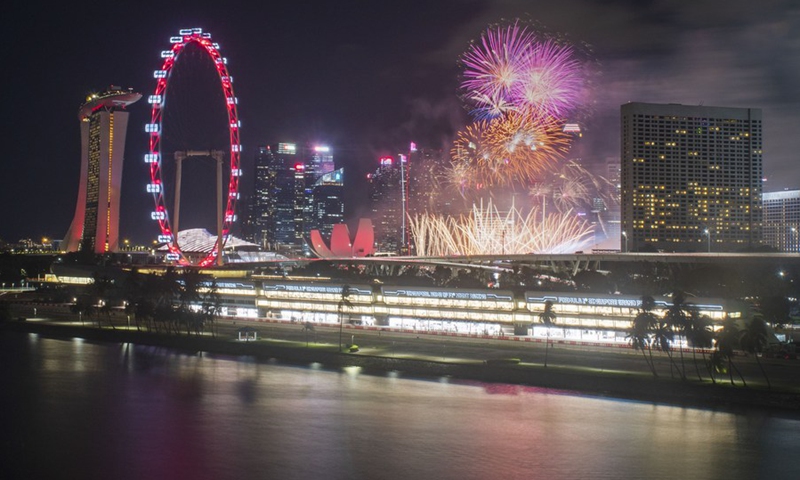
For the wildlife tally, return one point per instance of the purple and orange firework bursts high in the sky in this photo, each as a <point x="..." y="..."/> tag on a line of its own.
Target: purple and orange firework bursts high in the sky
<point x="520" y="86"/>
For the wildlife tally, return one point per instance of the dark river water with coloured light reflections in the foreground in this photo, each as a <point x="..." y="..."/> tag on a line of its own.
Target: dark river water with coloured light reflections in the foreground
<point x="75" y="409"/>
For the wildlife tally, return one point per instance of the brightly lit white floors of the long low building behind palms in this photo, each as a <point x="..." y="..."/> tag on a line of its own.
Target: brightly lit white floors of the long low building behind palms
<point x="581" y="317"/>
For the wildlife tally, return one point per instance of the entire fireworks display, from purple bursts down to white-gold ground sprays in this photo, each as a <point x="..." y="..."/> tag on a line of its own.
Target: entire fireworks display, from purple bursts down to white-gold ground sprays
<point x="521" y="87"/>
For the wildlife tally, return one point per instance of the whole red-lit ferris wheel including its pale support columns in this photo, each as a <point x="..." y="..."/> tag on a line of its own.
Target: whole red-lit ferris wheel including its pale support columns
<point x="154" y="158"/>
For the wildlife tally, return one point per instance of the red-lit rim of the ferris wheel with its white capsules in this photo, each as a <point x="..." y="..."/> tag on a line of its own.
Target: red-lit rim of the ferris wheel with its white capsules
<point x="154" y="157"/>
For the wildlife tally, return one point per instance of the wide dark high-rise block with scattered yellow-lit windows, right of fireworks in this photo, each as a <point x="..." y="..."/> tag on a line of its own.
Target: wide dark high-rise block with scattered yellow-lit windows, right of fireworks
<point x="691" y="178"/>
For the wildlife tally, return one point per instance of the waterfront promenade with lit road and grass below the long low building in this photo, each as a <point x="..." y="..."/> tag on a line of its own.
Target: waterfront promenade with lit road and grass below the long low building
<point x="594" y="369"/>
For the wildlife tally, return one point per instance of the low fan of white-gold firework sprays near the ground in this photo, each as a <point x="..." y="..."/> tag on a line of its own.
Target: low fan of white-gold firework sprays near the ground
<point x="487" y="231"/>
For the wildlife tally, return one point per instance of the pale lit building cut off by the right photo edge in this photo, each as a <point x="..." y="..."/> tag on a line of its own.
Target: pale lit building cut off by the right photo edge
<point x="782" y="220"/>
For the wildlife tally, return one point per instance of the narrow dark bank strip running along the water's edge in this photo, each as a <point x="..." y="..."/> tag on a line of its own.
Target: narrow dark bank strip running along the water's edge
<point x="617" y="386"/>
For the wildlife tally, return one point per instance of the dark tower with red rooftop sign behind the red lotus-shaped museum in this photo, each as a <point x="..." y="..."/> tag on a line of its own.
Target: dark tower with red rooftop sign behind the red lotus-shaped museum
<point x="386" y="197"/>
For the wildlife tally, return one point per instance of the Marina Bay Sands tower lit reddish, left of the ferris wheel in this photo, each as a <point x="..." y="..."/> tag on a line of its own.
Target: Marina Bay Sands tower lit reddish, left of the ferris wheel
<point x="104" y="122"/>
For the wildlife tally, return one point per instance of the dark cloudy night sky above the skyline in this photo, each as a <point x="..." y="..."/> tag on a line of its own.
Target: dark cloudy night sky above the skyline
<point x="366" y="77"/>
